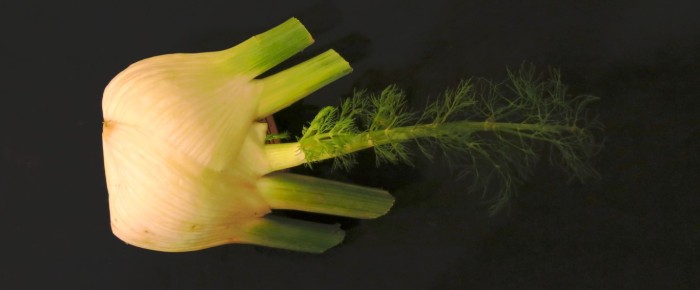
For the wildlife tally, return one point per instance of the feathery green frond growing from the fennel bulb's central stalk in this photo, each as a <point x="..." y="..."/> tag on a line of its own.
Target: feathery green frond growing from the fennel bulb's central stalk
<point x="495" y="132"/>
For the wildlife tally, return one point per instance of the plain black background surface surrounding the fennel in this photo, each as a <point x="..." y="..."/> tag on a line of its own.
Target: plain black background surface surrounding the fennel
<point x="639" y="227"/>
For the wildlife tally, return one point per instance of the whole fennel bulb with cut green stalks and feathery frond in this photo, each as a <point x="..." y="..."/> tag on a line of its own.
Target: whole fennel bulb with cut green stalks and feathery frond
<point x="187" y="167"/>
